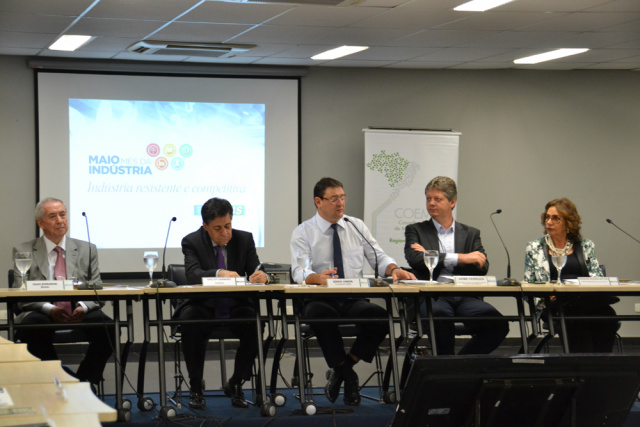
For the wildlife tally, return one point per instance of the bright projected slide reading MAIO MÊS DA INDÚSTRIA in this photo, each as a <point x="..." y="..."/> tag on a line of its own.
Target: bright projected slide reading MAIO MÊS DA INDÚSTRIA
<point x="142" y="154"/>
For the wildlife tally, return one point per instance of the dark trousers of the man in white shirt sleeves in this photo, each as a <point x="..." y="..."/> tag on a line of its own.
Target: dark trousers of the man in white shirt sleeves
<point x="369" y="335"/>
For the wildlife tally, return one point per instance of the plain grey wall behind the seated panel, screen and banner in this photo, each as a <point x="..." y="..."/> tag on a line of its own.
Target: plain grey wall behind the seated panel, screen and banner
<point x="527" y="137"/>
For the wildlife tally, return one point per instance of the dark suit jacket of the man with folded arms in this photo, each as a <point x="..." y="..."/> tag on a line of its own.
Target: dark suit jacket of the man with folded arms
<point x="467" y="239"/>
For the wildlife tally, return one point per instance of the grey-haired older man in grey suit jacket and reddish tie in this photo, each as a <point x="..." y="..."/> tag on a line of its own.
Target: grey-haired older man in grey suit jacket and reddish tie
<point x="51" y="217"/>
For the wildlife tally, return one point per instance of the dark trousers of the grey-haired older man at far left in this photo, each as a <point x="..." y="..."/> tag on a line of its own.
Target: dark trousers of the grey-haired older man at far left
<point x="101" y="338"/>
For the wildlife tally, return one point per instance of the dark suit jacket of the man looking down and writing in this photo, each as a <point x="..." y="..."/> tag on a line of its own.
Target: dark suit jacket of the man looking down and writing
<point x="200" y="260"/>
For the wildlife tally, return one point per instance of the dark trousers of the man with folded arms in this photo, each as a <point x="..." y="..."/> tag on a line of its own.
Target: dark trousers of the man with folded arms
<point x="486" y="335"/>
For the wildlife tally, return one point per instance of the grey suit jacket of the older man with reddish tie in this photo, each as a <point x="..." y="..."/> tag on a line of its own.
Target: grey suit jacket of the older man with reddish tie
<point x="77" y="264"/>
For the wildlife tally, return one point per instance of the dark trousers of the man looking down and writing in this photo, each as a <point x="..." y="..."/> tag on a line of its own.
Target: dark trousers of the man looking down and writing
<point x="195" y="338"/>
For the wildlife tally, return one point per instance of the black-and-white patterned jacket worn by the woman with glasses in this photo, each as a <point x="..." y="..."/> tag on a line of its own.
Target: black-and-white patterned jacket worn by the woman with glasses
<point x="536" y="263"/>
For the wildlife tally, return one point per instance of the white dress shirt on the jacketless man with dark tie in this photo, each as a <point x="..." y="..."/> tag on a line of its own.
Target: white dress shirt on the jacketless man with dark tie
<point x="315" y="237"/>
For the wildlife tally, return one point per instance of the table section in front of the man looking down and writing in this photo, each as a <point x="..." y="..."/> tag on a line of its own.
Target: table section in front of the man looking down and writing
<point x="160" y="295"/>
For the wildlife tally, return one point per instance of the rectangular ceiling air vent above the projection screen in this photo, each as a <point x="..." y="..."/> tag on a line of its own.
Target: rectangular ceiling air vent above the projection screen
<point x="210" y="50"/>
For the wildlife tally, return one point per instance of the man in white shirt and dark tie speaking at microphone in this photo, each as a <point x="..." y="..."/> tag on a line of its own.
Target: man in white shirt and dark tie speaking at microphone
<point x="338" y="246"/>
